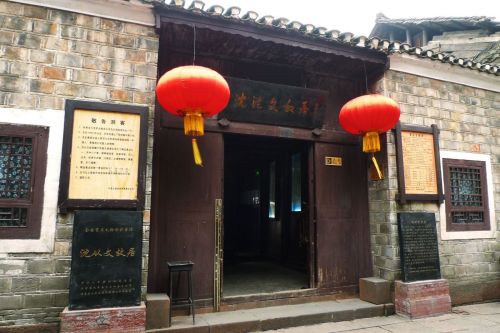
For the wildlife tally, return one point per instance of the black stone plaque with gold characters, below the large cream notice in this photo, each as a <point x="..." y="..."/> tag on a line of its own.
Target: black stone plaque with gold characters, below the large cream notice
<point x="106" y="259"/>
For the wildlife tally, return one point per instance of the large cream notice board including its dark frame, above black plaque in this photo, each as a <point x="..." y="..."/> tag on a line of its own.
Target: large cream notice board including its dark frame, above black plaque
<point x="104" y="156"/>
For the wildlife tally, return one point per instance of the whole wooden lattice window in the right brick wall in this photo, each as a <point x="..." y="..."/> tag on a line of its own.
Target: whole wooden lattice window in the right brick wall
<point x="466" y="195"/>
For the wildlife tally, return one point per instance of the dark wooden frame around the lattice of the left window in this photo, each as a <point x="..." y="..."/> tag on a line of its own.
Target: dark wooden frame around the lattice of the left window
<point x="34" y="205"/>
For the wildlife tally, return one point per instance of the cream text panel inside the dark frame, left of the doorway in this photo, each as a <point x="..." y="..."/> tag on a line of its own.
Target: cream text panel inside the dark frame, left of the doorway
<point x="104" y="155"/>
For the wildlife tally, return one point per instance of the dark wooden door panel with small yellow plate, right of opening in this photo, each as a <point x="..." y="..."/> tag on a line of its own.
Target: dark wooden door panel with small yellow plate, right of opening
<point x="342" y="228"/>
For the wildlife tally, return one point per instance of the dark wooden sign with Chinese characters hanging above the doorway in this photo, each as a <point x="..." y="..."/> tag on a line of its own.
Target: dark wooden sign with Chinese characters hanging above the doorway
<point x="275" y="104"/>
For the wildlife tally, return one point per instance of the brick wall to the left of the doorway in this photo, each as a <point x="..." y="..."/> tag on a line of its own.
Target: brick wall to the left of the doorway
<point x="46" y="57"/>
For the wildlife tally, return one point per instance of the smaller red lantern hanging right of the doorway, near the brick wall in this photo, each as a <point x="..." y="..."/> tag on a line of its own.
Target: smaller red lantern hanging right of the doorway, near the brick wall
<point x="369" y="115"/>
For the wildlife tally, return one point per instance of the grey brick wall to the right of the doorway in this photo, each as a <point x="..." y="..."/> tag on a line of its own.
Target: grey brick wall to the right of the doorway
<point x="468" y="119"/>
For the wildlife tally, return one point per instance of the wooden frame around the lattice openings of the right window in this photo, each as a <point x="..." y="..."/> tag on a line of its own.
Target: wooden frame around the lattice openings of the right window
<point x="485" y="209"/>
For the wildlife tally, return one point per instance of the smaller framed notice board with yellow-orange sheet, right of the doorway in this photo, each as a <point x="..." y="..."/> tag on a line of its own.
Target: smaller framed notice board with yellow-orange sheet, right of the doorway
<point x="418" y="163"/>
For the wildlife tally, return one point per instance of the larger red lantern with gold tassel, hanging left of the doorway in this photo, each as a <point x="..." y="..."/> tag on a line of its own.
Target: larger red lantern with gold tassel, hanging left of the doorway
<point x="193" y="92"/>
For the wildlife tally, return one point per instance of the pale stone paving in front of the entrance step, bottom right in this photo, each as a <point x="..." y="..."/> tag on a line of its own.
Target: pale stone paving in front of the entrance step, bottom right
<point x="477" y="318"/>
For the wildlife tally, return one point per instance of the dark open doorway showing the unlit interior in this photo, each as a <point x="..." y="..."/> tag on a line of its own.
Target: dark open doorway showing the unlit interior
<point x="266" y="215"/>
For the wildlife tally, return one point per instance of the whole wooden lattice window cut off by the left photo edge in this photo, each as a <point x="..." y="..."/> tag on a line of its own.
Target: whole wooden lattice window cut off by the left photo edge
<point x="23" y="159"/>
